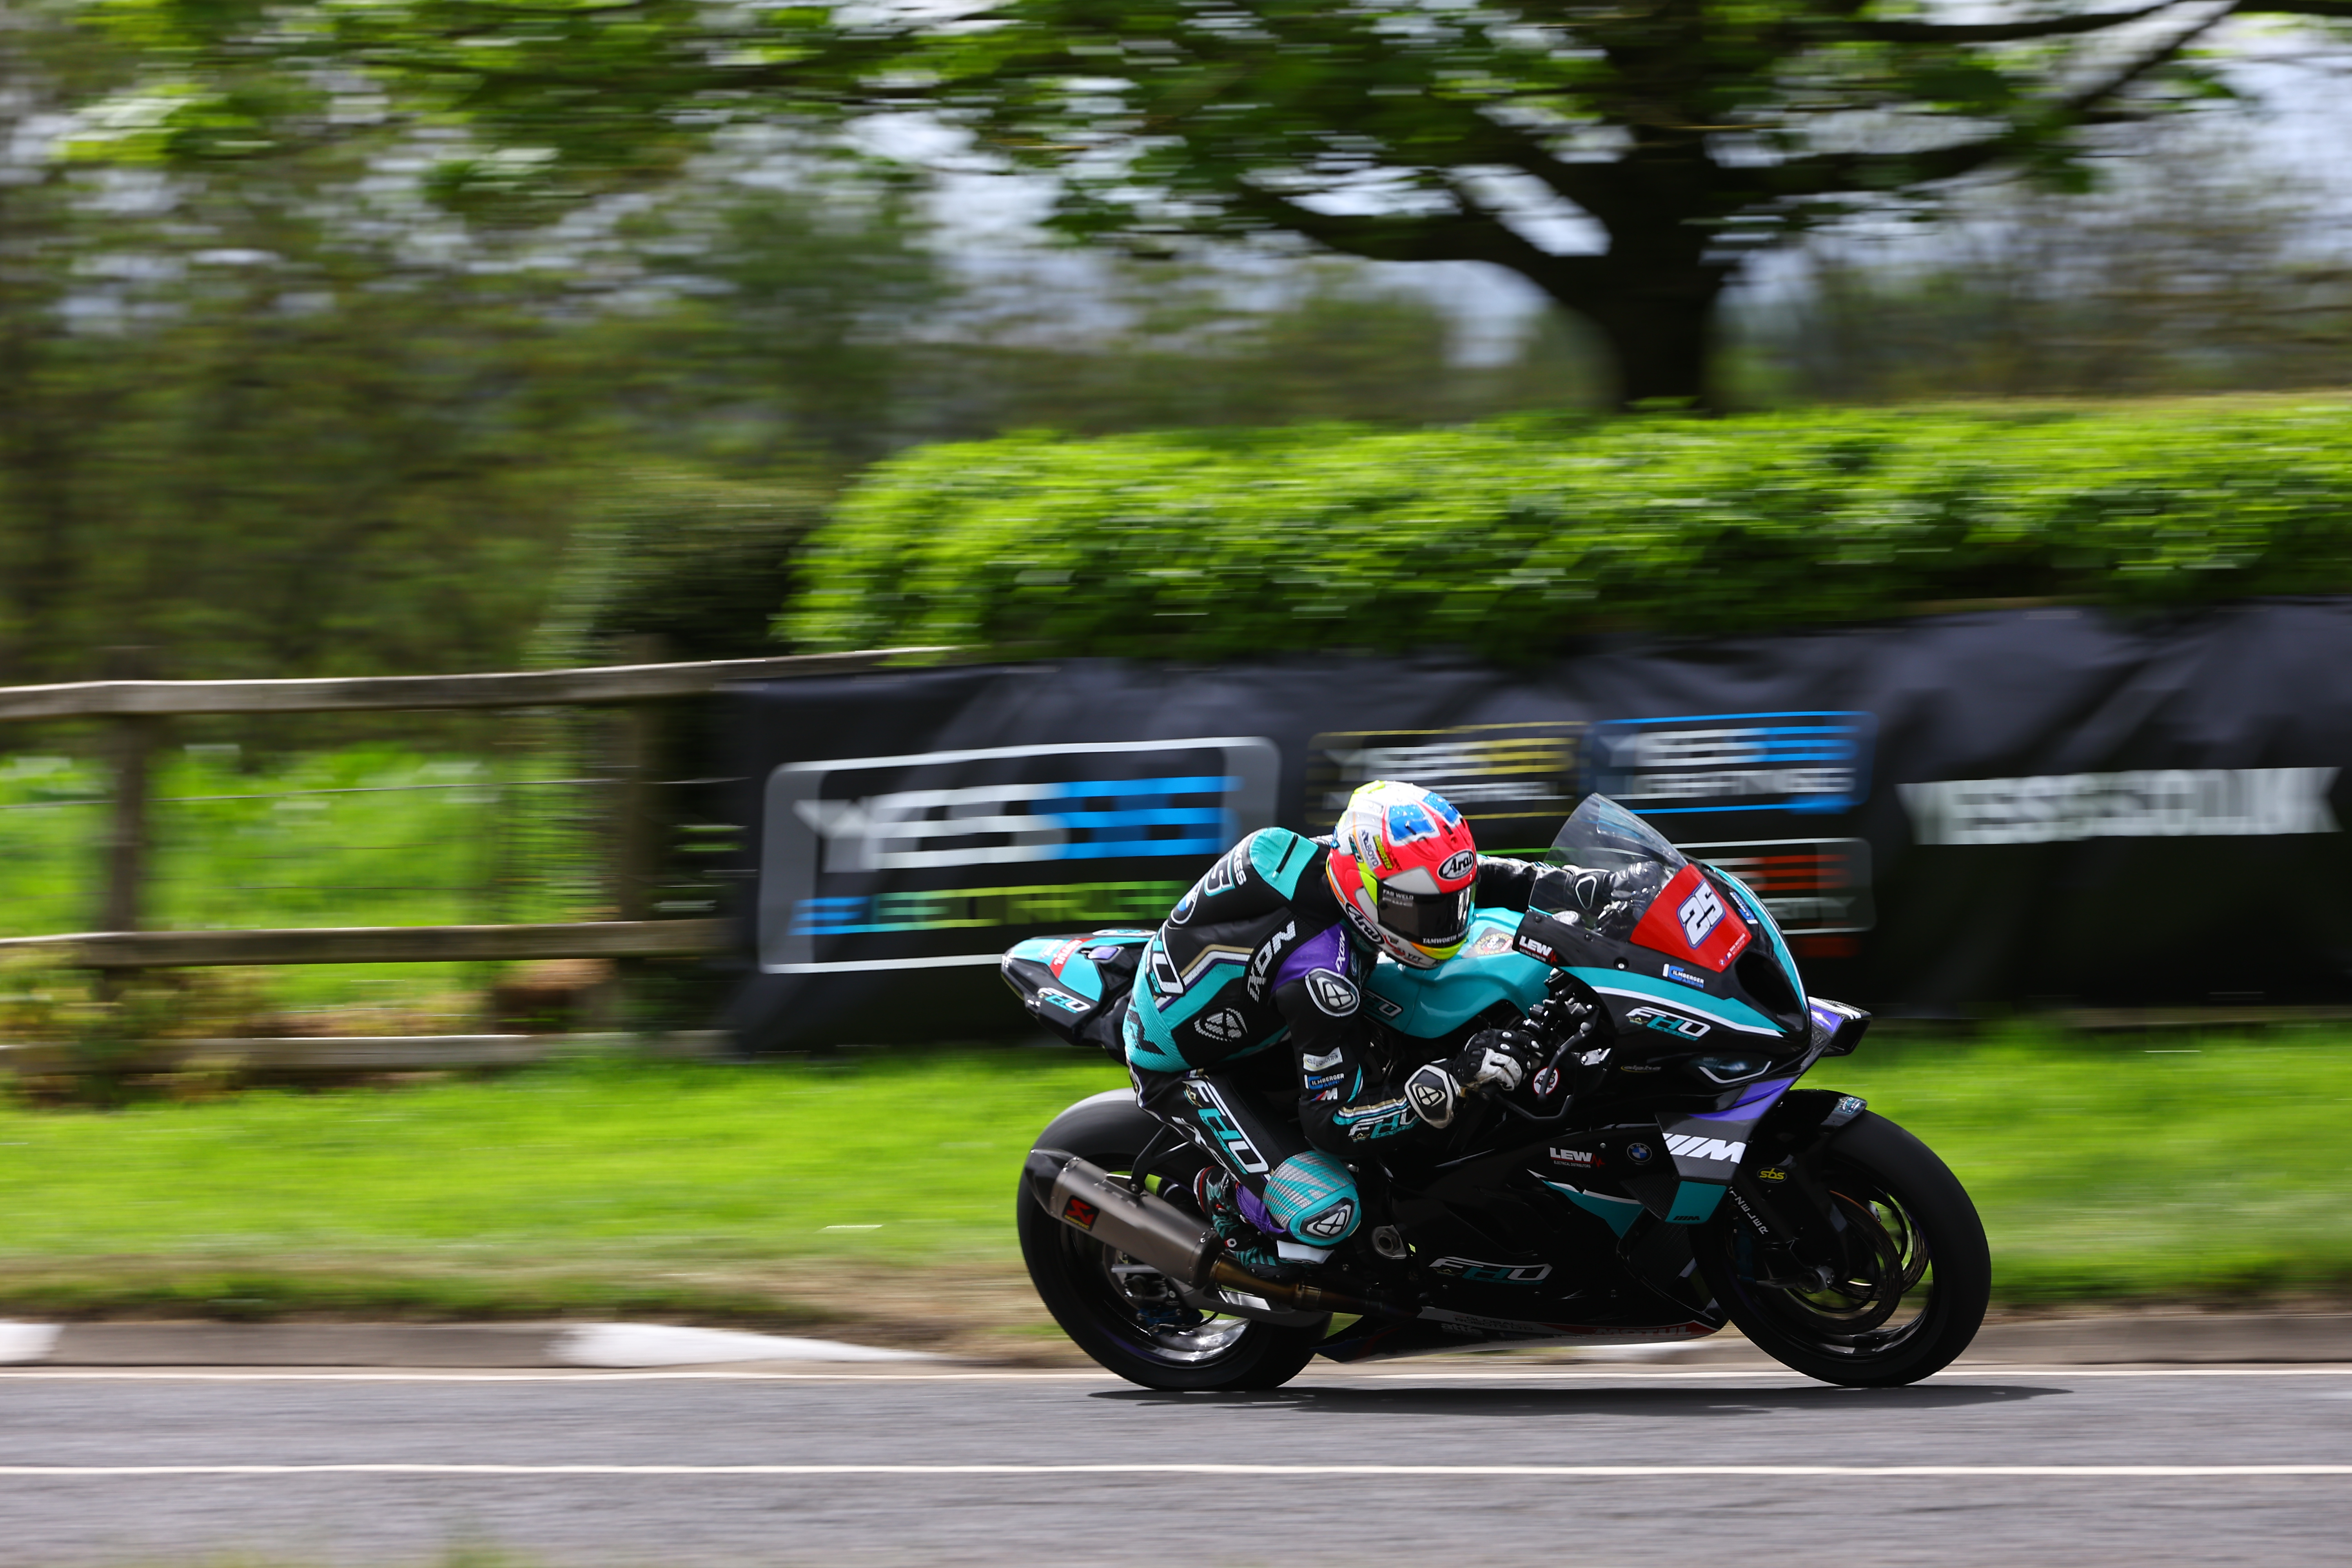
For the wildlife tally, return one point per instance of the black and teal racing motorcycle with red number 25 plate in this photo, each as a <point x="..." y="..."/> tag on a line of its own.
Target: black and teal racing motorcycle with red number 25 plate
<point x="1657" y="1179"/>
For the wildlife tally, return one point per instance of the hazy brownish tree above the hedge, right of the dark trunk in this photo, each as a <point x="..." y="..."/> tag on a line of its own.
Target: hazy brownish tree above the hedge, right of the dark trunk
<point x="2200" y="267"/>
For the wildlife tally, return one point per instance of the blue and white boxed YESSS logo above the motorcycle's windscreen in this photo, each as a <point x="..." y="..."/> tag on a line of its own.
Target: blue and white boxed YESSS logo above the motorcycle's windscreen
<point x="1735" y="763"/>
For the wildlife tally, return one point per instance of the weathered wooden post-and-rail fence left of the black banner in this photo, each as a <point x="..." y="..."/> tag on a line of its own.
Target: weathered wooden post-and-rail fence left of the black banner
<point x="140" y="713"/>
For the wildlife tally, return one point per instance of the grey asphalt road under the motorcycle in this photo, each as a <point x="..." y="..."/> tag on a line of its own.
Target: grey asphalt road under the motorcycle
<point x="1485" y="1466"/>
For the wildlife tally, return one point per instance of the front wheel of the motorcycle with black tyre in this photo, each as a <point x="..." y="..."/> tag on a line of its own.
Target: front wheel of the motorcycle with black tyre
<point x="1909" y="1289"/>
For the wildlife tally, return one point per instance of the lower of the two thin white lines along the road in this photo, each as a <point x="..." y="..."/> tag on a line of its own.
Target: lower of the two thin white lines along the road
<point x="2059" y="1473"/>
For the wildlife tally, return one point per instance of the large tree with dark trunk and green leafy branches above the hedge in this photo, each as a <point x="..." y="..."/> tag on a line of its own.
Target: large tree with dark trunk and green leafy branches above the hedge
<point x="1688" y="133"/>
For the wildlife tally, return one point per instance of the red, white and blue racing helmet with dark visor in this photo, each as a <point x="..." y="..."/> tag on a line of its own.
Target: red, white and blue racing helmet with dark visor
<point x="1405" y="871"/>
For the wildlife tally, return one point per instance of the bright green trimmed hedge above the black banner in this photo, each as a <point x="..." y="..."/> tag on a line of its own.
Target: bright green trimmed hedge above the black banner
<point x="1516" y="537"/>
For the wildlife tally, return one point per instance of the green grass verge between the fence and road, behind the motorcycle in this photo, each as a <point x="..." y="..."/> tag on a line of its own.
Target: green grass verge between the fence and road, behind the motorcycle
<point x="871" y="1188"/>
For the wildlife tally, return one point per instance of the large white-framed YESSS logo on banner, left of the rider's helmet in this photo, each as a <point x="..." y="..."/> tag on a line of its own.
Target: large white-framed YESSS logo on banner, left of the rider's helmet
<point x="949" y="857"/>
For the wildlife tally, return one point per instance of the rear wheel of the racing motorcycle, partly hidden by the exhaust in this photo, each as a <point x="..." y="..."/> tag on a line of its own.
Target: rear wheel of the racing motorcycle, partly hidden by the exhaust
<point x="1125" y="1313"/>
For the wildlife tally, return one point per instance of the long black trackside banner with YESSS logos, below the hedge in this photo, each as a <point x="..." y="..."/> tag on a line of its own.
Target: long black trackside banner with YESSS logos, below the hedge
<point x="1949" y="817"/>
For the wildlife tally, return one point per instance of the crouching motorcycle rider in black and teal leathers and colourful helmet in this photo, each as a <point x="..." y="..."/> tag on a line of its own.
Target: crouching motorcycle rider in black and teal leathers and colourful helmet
<point x="1267" y="953"/>
